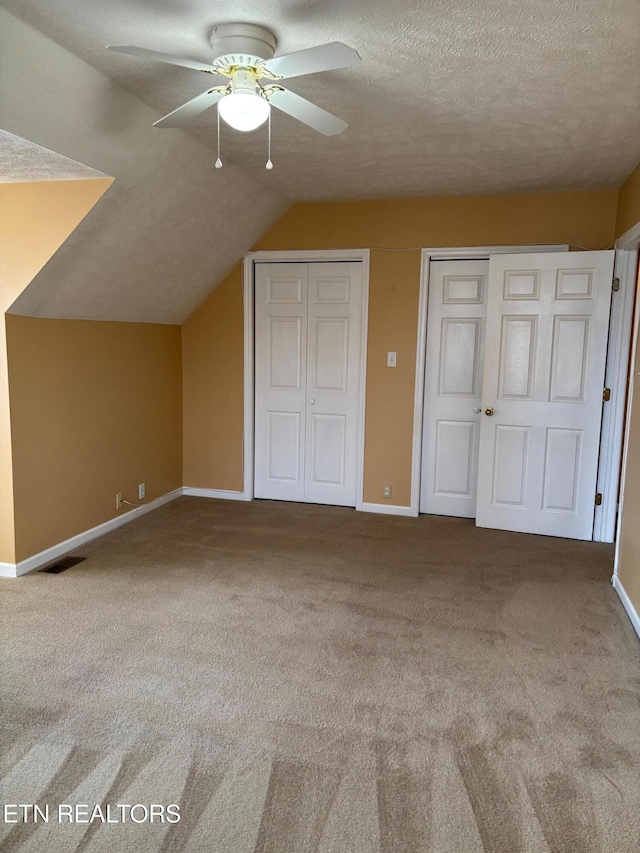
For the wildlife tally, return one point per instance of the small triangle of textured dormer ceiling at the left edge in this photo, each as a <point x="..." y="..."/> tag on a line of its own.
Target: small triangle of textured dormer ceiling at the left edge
<point x="21" y="160"/>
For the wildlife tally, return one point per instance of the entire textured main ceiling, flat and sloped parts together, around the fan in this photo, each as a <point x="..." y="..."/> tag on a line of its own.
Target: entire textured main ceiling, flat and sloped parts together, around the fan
<point x="453" y="97"/>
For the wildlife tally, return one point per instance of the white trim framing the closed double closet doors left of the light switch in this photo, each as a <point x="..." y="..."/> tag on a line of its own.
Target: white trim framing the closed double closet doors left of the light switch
<point x="248" y="285"/>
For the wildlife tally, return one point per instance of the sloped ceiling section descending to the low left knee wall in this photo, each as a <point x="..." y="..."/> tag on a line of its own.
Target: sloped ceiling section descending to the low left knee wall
<point x="169" y="228"/>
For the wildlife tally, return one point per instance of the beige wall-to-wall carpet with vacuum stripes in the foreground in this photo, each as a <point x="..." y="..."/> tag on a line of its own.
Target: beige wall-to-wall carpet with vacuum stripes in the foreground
<point x="305" y="679"/>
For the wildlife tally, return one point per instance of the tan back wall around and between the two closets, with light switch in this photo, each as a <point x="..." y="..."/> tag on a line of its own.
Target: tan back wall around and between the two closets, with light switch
<point x="213" y="373"/>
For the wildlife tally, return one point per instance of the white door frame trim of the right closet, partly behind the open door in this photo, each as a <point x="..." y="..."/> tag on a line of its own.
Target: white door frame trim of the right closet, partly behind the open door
<point x="445" y="254"/>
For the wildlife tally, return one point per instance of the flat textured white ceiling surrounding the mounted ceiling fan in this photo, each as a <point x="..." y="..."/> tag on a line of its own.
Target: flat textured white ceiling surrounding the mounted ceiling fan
<point x="453" y="96"/>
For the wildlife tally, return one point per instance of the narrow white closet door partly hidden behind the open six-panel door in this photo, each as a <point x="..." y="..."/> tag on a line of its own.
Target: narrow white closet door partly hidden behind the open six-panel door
<point x="453" y="386"/>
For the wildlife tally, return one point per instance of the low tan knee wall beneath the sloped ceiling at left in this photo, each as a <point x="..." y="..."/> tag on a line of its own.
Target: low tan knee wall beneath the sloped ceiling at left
<point x="96" y="408"/>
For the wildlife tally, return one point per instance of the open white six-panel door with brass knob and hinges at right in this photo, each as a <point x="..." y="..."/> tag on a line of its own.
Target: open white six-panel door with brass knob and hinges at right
<point x="545" y="351"/>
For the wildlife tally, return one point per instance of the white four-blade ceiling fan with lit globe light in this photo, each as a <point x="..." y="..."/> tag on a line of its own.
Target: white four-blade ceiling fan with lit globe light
<point x="247" y="74"/>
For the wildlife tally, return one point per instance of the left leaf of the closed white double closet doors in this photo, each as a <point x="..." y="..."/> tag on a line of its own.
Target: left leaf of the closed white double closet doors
<point x="280" y="379"/>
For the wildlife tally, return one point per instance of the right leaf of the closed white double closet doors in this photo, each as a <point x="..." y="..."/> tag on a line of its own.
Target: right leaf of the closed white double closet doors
<point x="334" y="306"/>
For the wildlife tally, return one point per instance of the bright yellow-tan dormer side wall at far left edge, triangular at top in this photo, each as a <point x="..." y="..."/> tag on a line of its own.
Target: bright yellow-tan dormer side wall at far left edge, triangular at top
<point x="35" y="219"/>
